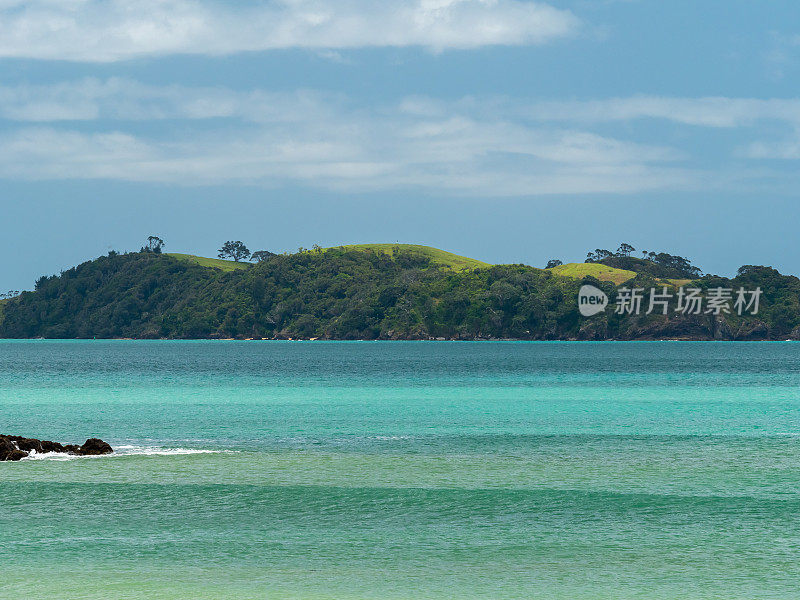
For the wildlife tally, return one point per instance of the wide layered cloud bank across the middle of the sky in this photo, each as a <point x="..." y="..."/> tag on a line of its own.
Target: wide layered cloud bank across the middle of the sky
<point x="121" y="129"/>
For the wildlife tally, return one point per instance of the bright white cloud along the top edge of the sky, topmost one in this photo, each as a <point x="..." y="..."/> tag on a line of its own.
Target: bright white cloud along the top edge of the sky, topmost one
<point x="111" y="30"/>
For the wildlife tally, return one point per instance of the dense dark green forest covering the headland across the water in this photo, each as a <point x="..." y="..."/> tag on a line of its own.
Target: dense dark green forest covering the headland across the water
<point x="362" y="294"/>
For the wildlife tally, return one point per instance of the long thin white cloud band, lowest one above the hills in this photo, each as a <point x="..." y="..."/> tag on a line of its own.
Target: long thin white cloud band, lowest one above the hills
<point x="495" y="159"/>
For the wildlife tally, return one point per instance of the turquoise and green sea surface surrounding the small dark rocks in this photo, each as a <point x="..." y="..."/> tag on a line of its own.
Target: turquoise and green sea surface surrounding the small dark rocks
<point x="394" y="470"/>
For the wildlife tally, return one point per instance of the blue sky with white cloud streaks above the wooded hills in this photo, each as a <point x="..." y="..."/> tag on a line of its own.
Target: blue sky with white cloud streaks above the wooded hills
<point x="506" y="130"/>
